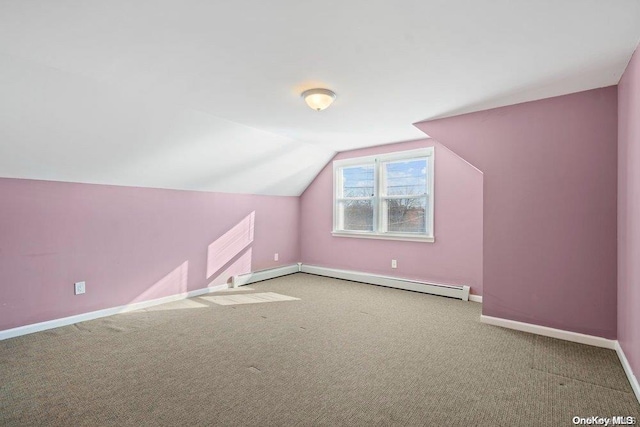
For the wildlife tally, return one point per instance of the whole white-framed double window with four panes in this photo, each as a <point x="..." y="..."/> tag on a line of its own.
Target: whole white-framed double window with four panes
<point x="389" y="196"/>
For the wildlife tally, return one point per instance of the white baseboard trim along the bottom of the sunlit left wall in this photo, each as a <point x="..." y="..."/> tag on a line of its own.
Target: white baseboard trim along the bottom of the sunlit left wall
<point x="65" y="321"/>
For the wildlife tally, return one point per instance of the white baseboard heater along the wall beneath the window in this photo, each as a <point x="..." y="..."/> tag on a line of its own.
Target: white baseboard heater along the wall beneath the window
<point x="460" y="292"/>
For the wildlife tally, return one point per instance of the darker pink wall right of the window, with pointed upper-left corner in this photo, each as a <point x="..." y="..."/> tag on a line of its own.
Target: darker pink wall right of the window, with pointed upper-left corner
<point x="549" y="207"/>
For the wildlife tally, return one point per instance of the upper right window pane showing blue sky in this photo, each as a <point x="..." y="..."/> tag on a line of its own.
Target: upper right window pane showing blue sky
<point x="406" y="178"/>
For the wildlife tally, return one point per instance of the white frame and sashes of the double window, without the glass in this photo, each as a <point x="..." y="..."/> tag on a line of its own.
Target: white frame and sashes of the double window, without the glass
<point x="379" y="213"/>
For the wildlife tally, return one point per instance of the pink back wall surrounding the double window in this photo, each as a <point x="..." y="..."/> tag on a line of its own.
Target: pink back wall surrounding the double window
<point x="456" y="255"/>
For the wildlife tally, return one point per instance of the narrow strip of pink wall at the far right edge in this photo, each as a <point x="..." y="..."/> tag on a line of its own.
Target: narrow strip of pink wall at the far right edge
<point x="629" y="212"/>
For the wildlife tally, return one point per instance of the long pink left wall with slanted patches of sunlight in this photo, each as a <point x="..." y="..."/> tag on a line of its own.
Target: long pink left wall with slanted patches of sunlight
<point x="128" y="244"/>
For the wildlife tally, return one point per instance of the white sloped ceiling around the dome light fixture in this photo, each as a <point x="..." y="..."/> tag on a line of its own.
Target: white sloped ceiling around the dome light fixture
<point x="204" y="95"/>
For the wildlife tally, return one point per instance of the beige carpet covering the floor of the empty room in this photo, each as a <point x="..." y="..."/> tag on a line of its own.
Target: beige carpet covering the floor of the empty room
<point x="343" y="354"/>
